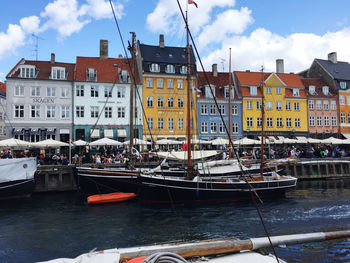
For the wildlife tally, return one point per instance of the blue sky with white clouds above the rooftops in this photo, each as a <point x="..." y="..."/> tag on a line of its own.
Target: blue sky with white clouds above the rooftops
<point x="257" y="32"/>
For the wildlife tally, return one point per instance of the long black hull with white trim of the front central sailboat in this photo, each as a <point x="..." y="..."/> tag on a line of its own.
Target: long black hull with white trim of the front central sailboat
<point x="158" y="190"/>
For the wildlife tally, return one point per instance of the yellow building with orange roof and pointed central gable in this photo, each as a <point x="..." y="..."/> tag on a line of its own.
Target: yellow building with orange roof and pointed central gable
<point x="284" y="100"/>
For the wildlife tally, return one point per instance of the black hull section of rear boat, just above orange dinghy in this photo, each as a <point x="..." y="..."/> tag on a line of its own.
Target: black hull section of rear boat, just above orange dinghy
<point x="101" y="181"/>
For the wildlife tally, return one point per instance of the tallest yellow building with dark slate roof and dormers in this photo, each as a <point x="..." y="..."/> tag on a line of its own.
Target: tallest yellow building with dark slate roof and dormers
<point x="164" y="92"/>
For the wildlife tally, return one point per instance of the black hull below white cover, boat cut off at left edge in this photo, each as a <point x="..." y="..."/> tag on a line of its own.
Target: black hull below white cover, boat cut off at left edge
<point x="17" y="189"/>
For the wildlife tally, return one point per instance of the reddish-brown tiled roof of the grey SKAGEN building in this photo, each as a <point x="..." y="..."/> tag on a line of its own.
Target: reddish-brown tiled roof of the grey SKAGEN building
<point x="44" y="68"/>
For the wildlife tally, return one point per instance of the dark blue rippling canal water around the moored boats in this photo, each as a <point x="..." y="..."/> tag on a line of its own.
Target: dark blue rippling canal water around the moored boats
<point x="48" y="226"/>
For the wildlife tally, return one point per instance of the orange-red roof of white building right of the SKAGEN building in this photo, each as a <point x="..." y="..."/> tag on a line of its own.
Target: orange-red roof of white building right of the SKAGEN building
<point x="107" y="69"/>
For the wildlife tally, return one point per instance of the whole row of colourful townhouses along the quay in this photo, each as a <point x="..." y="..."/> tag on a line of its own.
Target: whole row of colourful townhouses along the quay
<point x="90" y="99"/>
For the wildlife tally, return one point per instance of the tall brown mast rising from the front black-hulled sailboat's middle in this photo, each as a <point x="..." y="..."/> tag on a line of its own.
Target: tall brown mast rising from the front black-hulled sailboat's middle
<point x="189" y="161"/>
